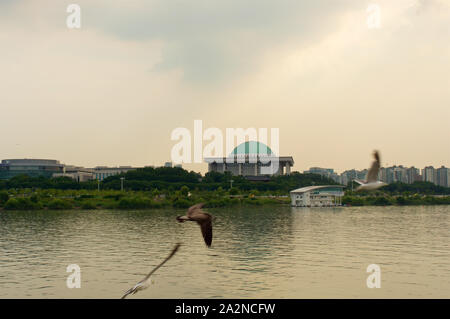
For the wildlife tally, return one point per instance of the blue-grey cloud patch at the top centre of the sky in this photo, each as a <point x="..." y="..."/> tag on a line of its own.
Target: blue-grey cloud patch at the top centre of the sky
<point x="213" y="41"/>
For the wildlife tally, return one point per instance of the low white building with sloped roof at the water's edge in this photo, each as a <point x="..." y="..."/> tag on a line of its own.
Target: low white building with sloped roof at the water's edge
<point x="317" y="196"/>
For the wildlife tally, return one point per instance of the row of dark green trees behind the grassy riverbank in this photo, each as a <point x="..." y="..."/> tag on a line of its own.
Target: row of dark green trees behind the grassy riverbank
<point x="168" y="178"/>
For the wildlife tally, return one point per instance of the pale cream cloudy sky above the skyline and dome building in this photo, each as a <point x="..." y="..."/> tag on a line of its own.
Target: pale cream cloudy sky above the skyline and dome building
<point x="112" y="92"/>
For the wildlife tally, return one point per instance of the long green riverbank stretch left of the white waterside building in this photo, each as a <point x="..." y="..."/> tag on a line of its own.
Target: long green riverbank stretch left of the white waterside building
<point x="81" y="199"/>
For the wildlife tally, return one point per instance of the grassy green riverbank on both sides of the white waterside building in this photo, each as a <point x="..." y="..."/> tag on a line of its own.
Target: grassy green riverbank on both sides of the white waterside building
<point x="91" y="200"/>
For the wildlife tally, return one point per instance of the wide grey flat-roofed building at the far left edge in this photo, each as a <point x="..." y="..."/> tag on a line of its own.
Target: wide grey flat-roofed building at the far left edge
<point x="31" y="167"/>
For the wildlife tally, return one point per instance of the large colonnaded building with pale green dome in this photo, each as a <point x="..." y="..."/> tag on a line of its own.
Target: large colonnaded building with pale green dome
<point x="251" y="159"/>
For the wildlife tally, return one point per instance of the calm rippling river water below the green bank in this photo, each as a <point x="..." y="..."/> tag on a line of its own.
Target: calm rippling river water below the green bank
<point x="256" y="253"/>
